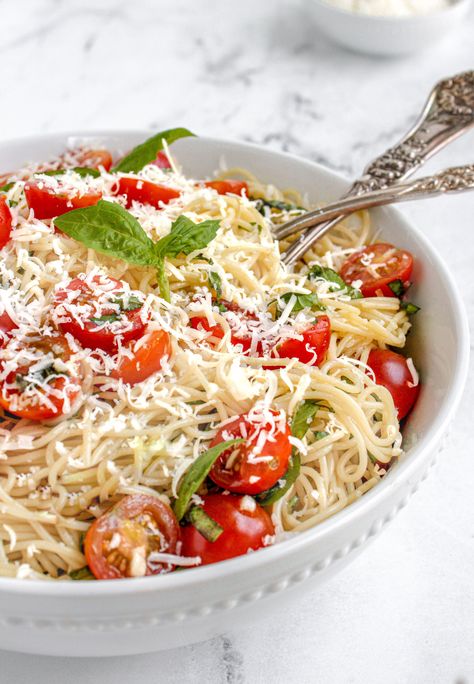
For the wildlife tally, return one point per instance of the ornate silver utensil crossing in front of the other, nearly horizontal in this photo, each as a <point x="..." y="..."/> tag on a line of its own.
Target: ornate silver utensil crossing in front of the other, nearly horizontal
<point x="456" y="179"/>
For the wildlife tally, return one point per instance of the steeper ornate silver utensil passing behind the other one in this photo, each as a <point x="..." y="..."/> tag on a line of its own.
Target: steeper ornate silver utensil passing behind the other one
<point x="448" y="112"/>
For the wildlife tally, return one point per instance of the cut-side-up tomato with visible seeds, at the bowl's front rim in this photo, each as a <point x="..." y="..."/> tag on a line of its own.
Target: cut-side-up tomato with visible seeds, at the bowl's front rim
<point x="122" y="541"/>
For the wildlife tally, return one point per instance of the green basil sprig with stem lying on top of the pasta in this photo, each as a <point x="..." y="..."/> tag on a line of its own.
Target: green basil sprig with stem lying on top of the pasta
<point x="110" y="229"/>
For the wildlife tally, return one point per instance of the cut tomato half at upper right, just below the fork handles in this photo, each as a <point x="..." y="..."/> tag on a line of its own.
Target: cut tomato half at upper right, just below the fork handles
<point x="378" y="266"/>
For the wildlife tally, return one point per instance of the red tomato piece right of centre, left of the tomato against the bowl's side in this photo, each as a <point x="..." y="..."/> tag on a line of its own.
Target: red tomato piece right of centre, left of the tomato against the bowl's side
<point x="312" y="348"/>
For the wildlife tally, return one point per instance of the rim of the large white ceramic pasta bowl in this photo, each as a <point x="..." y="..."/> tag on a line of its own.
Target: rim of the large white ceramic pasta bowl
<point x="203" y="575"/>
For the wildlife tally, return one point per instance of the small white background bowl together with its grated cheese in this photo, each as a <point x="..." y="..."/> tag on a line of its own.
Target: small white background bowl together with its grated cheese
<point x="389" y="27"/>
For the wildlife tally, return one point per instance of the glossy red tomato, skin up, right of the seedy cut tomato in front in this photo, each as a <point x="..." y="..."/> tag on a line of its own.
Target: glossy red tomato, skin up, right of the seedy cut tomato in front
<point x="245" y="527"/>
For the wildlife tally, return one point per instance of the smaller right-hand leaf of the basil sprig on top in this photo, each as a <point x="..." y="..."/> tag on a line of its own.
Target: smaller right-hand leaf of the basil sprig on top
<point x="186" y="236"/>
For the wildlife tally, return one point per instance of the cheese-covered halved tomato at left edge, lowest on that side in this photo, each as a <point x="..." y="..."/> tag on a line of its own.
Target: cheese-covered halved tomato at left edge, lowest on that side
<point x="39" y="394"/>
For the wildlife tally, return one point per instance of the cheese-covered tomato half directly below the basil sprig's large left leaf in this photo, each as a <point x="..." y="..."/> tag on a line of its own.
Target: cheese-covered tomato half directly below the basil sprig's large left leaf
<point x="99" y="316"/>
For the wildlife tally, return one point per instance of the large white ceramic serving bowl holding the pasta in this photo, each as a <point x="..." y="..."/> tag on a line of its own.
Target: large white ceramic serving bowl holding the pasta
<point x="133" y="616"/>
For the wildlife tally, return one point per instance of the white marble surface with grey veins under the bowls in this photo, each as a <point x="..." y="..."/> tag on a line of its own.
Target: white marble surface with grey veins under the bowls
<point x="404" y="611"/>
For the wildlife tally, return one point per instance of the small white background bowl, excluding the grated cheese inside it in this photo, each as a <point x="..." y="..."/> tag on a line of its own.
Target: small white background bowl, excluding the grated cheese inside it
<point x="381" y="35"/>
